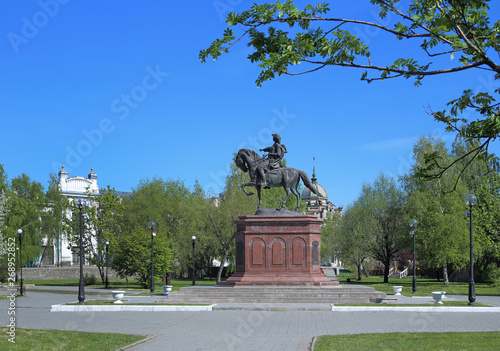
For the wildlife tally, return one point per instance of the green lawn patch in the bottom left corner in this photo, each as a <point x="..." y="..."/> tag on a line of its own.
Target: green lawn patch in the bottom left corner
<point x="55" y="340"/>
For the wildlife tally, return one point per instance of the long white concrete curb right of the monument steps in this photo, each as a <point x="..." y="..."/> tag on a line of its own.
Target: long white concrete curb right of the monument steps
<point x="414" y="309"/>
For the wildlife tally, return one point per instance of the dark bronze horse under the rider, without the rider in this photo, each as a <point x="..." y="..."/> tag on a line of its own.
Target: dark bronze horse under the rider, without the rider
<point x="288" y="178"/>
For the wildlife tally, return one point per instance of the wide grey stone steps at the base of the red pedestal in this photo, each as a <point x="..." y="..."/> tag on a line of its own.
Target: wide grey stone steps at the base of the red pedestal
<point x="273" y="294"/>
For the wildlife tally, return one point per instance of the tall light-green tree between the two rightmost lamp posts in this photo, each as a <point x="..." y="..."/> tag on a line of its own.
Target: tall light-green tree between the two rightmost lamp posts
<point x="441" y="235"/>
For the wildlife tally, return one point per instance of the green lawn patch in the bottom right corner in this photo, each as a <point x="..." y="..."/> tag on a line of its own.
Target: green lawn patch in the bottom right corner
<point x="410" y="341"/>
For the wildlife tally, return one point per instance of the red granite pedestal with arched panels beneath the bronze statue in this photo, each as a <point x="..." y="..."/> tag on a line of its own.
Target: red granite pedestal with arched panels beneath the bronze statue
<point x="278" y="250"/>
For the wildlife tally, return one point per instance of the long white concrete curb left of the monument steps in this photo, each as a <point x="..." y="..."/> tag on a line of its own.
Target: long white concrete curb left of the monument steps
<point x="127" y="308"/>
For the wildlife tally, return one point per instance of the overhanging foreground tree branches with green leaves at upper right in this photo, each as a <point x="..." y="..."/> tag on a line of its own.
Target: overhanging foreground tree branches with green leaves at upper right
<point x="440" y="30"/>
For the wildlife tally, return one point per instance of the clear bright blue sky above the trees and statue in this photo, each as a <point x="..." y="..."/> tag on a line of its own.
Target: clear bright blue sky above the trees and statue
<point x="117" y="86"/>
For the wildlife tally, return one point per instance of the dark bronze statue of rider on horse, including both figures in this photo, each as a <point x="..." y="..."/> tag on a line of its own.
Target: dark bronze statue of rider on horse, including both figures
<point x="268" y="172"/>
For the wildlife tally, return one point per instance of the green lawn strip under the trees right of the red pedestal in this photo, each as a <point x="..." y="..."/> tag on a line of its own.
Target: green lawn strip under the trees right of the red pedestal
<point x="424" y="286"/>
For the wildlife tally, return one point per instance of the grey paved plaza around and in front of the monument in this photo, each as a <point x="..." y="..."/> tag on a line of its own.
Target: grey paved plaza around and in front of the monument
<point x="240" y="329"/>
